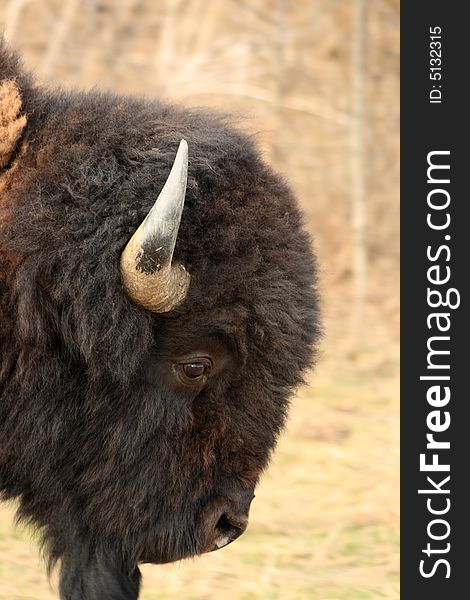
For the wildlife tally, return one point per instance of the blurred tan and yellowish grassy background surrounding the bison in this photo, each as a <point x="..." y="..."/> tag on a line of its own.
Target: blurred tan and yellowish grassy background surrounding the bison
<point x="317" y="81"/>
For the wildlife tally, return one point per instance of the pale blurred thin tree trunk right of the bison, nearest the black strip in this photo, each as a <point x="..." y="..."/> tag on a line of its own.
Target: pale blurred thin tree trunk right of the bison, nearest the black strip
<point x="357" y="165"/>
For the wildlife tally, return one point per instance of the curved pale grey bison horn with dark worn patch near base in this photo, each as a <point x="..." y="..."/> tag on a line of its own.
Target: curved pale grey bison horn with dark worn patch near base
<point x="149" y="277"/>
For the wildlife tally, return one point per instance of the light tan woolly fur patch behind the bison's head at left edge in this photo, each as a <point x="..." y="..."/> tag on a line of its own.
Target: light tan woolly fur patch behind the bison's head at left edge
<point x="12" y="122"/>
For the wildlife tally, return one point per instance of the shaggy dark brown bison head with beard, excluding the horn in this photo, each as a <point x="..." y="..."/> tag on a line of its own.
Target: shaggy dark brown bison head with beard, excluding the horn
<point x="128" y="435"/>
